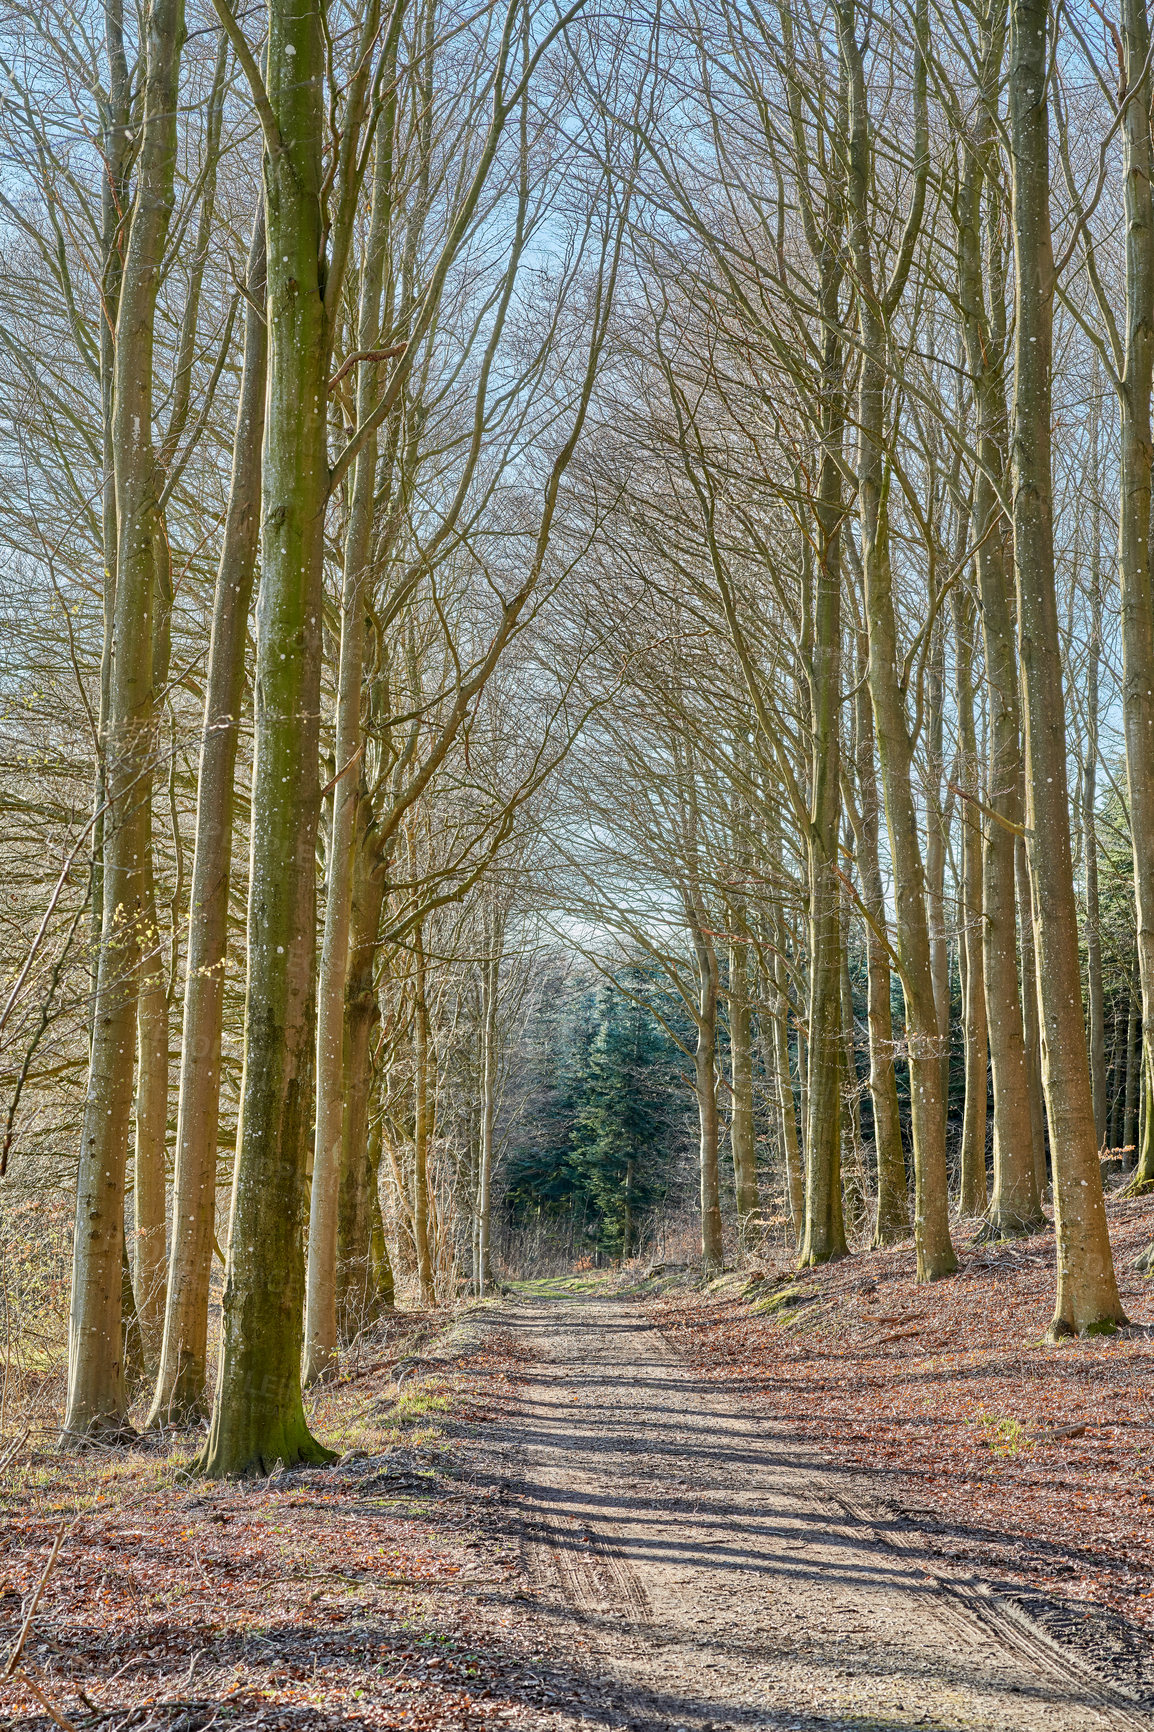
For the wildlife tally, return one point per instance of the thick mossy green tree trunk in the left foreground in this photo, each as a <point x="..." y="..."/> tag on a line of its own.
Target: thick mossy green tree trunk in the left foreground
<point x="259" y="1414"/>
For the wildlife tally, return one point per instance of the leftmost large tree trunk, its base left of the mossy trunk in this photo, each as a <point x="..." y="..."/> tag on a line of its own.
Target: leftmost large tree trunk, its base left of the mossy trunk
<point x="96" y="1385"/>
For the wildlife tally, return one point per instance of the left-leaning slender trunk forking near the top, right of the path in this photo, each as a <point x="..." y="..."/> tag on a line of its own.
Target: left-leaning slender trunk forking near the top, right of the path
<point x="924" y="1040"/>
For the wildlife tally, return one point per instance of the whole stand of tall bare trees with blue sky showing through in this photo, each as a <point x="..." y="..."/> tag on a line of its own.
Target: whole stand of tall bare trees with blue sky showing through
<point x="578" y="678"/>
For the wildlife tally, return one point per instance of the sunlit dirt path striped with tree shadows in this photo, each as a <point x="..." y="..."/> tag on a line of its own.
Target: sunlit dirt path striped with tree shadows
<point x="710" y="1572"/>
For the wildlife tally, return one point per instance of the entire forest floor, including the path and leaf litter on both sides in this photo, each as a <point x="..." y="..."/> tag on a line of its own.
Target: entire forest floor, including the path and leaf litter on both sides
<point x="607" y="1503"/>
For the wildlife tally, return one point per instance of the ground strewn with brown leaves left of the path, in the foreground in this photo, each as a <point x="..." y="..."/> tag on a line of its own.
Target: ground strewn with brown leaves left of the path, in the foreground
<point x="314" y="1598"/>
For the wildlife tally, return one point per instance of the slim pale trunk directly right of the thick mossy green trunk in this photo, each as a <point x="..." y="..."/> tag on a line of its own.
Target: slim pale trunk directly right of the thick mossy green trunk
<point x="321" y="1324"/>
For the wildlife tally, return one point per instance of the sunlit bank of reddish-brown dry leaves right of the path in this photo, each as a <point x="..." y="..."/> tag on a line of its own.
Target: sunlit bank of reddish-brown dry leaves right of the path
<point x="949" y="1393"/>
